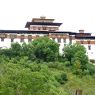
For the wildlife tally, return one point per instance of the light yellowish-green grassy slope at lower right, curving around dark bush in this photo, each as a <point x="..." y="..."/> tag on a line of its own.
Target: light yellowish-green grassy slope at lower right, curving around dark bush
<point x="85" y="83"/>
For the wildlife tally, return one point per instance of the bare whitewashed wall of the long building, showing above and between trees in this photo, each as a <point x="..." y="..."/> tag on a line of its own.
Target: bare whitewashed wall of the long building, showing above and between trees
<point x="91" y="53"/>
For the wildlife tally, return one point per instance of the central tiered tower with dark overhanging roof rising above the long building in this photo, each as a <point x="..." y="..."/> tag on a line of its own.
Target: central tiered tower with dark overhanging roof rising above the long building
<point x="42" y="24"/>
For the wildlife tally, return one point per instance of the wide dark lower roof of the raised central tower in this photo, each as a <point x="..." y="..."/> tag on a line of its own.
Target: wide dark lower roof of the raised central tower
<point x="41" y="23"/>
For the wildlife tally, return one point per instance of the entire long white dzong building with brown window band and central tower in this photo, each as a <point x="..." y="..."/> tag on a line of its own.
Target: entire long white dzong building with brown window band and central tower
<point x="47" y="27"/>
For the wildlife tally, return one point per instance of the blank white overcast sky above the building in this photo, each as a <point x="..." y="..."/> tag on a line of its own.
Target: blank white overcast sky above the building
<point x="74" y="14"/>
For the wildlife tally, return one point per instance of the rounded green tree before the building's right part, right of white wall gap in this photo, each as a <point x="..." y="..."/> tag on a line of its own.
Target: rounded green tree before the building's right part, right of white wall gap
<point x="74" y="53"/>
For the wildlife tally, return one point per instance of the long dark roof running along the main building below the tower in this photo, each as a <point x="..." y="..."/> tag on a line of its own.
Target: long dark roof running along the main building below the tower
<point x="44" y="32"/>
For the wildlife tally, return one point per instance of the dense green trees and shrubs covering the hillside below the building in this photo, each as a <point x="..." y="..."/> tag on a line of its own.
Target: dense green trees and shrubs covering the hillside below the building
<point x="37" y="68"/>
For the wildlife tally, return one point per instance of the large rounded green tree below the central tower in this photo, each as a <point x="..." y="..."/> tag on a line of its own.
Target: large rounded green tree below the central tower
<point x="45" y="49"/>
